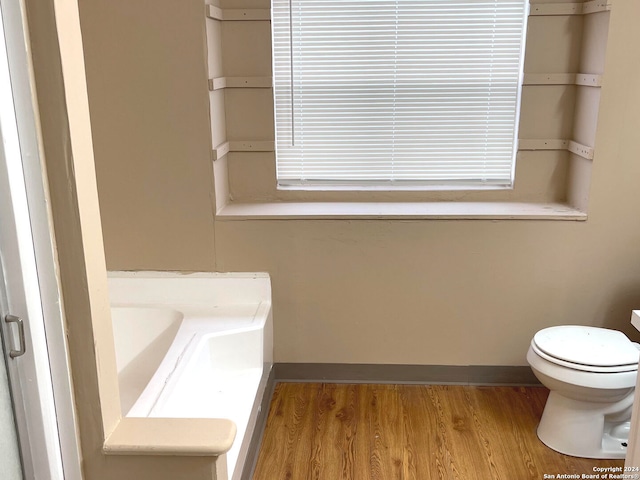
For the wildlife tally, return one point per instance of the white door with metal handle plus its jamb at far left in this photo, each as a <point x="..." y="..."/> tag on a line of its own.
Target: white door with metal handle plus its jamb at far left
<point x="33" y="339"/>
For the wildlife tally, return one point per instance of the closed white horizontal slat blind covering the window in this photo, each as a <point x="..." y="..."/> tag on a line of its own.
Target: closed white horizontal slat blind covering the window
<point x="397" y="92"/>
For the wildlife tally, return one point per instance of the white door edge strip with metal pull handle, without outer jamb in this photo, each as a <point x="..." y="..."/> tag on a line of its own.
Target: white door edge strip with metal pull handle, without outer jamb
<point x="29" y="373"/>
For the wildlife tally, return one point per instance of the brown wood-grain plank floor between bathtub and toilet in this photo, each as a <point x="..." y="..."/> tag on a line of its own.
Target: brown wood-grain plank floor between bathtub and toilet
<point x="421" y="432"/>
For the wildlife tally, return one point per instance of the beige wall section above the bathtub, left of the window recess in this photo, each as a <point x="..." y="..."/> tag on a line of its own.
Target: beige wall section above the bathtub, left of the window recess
<point x="146" y="74"/>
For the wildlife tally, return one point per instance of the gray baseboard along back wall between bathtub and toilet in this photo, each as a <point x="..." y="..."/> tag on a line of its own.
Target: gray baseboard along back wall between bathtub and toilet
<point x="405" y="374"/>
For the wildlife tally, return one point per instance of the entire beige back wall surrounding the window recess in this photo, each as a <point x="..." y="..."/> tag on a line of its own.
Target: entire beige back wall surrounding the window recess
<point x="419" y="292"/>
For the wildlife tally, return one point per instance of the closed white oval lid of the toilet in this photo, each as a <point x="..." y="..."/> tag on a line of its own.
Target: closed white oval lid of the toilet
<point x="587" y="345"/>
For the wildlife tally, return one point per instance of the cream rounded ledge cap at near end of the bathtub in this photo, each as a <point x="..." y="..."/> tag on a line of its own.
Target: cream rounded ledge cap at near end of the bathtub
<point x="171" y="436"/>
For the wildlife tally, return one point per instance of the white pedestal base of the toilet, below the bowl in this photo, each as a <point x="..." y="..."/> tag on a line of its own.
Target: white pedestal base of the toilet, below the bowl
<point x="585" y="429"/>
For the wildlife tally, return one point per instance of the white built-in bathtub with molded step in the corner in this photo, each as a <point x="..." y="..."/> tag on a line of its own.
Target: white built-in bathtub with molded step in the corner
<point x="194" y="346"/>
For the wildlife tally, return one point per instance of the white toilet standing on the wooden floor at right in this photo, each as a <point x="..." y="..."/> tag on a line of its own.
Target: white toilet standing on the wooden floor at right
<point x="591" y="374"/>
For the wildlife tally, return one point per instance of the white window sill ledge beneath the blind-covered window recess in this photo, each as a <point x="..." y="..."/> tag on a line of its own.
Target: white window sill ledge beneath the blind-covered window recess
<point x="399" y="210"/>
